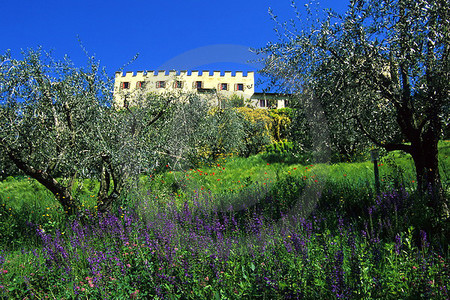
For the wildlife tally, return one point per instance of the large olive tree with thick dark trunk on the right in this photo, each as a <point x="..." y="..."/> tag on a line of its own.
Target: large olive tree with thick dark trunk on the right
<point x="382" y="68"/>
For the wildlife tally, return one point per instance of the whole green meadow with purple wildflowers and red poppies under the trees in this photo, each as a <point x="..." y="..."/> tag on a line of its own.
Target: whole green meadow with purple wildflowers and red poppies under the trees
<point x="236" y="229"/>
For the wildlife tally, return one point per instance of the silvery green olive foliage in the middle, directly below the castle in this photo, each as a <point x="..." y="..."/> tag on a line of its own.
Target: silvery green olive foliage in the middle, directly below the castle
<point x="192" y="130"/>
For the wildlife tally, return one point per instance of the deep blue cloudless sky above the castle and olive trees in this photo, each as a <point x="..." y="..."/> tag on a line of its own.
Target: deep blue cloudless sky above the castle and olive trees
<point x="191" y="34"/>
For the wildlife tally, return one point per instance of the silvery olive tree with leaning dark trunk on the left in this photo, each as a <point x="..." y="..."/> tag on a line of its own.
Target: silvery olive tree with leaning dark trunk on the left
<point x="58" y="124"/>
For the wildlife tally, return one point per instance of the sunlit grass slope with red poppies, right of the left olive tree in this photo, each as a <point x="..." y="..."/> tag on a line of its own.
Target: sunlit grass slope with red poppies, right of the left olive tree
<point x="234" y="174"/>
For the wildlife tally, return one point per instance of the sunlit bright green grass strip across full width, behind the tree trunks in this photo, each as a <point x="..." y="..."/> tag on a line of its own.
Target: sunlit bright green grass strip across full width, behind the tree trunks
<point x="234" y="174"/>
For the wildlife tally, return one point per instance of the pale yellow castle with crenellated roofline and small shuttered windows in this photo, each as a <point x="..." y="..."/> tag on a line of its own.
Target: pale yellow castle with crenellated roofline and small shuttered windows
<point x="212" y="86"/>
